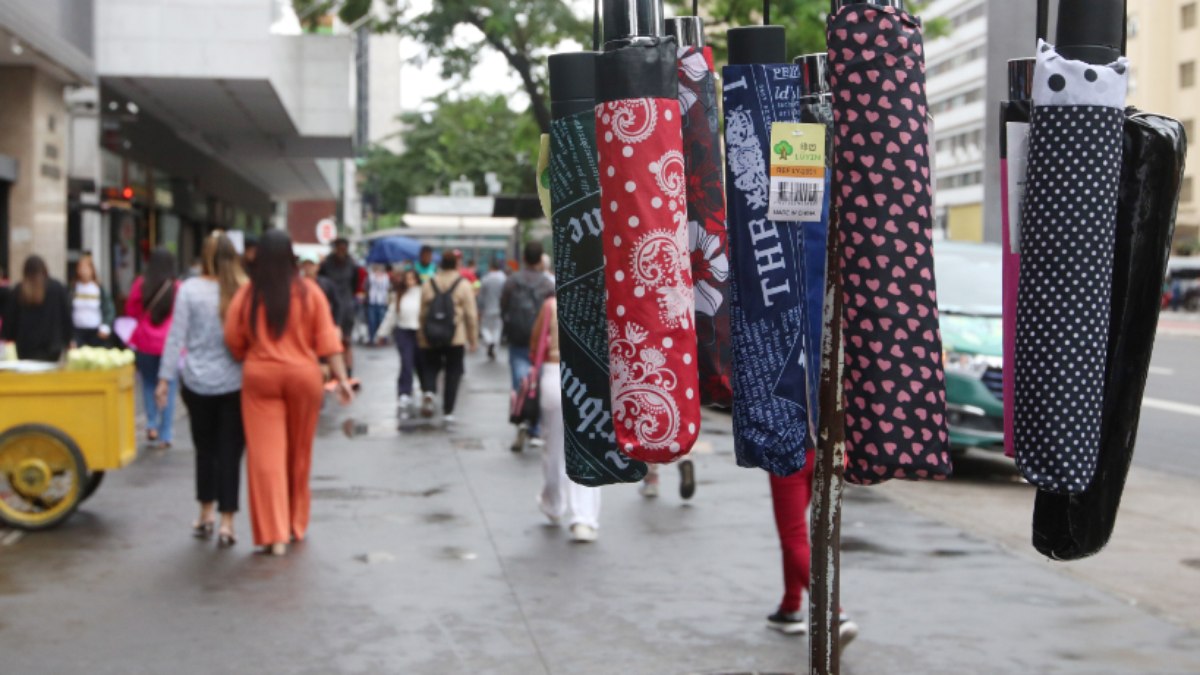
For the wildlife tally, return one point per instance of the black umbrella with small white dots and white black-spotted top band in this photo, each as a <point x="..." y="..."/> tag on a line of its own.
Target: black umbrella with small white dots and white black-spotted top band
<point x="1066" y="285"/>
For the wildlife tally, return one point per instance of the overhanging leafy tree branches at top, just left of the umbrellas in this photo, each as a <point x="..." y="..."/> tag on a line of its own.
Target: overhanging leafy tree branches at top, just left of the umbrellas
<point x="524" y="32"/>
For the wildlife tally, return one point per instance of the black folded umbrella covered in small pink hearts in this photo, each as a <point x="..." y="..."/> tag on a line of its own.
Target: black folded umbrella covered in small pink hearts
<point x="887" y="255"/>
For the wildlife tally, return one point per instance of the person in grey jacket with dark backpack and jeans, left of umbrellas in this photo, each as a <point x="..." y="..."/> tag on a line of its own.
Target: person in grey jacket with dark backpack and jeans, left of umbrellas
<point x="520" y="303"/>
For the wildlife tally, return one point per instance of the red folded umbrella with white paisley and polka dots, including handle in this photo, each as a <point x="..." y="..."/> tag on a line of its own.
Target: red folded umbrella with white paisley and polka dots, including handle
<point x="652" y="334"/>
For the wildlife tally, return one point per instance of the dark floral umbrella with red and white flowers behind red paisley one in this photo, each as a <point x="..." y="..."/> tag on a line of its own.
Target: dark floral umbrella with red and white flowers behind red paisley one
<point x="707" y="238"/>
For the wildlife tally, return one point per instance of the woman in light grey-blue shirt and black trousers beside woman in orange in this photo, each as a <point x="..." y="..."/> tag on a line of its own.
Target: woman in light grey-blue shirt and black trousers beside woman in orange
<point x="211" y="384"/>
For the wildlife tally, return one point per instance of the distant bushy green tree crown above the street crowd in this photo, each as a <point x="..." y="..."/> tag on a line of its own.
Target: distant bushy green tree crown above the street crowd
<point x="469" y="138"/>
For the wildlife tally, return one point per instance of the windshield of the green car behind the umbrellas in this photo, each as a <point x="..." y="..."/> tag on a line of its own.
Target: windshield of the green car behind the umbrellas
<point x="969" y="278"/>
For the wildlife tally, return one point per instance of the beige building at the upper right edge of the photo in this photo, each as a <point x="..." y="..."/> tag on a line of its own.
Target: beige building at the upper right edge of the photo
<point x="1165" y="55"/>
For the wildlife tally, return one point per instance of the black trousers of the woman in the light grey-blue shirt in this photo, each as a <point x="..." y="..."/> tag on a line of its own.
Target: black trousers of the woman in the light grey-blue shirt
<point x="220" y="440"/>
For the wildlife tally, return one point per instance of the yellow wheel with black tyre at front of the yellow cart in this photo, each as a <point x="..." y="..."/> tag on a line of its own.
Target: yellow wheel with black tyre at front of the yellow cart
<point x="43" y="477"/>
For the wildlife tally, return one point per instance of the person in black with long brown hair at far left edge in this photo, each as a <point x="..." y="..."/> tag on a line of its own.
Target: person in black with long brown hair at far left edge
<point x="38" y="318"/>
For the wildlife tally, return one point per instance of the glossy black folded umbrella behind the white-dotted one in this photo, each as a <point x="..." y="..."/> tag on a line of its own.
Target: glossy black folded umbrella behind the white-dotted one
<point x="1075" y="527"/>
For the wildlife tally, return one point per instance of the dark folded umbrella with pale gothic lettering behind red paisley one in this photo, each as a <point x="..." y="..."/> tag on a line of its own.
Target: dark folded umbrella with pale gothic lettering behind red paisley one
<point x="578" y="224"/>
